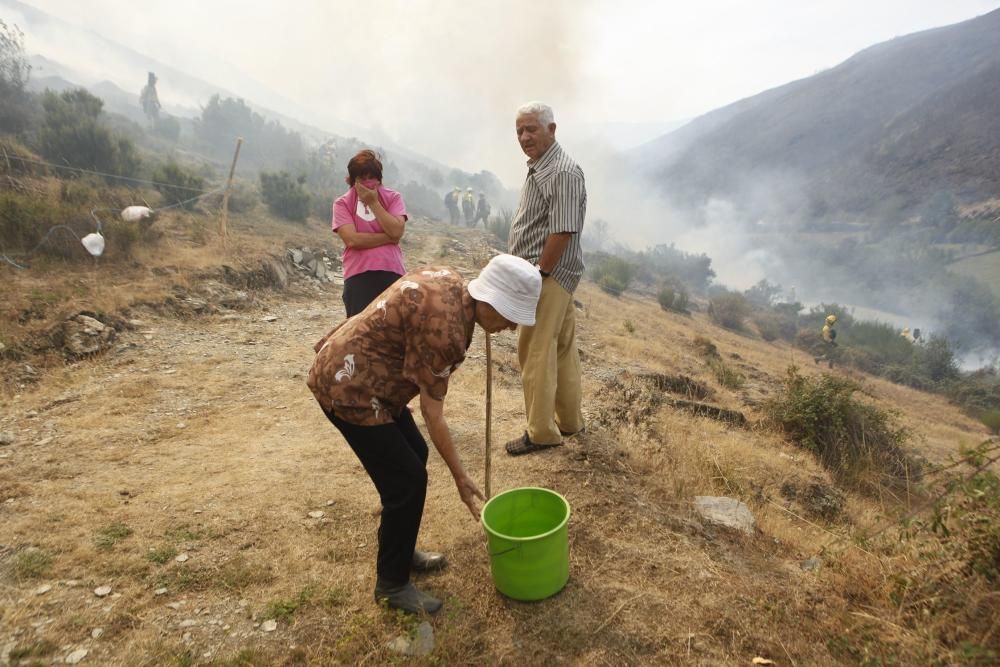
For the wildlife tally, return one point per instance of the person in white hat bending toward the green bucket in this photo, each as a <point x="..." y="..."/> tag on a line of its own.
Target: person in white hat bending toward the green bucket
<point x="409" y="343"/>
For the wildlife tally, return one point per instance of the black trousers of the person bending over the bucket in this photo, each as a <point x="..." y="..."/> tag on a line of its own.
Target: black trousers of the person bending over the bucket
<point x="395" y="458"/>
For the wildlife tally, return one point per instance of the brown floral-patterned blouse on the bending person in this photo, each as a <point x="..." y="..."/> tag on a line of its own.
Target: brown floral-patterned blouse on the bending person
<point x="412" y="337"/>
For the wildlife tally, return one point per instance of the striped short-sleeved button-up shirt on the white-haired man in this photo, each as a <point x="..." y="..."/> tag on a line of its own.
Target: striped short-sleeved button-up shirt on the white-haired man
<point x="553" y="200"/>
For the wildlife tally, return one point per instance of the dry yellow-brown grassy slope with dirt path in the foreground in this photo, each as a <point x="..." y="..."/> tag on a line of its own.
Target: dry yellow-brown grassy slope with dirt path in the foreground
<point x="194" y="435"/>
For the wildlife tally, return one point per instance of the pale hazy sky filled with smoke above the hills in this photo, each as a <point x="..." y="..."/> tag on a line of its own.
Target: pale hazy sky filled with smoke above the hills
<point x="443" y="77"/>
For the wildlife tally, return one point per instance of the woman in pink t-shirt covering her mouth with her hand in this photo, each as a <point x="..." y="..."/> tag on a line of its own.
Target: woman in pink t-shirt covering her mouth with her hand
<point x="369" y="218"/>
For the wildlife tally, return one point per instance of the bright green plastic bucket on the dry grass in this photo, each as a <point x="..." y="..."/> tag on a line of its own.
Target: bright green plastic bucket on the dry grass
<point x="528" y="543"/>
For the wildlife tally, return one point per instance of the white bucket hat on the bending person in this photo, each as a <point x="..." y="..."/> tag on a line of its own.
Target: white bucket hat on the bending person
<point x="511" y="285"/>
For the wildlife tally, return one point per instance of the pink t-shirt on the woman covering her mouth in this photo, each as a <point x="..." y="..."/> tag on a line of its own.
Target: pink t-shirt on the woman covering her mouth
<point x="348" y="209"/>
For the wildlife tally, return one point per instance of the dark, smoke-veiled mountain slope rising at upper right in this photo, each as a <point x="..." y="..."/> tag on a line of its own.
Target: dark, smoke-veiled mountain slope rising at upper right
<point x="876" y="136"/>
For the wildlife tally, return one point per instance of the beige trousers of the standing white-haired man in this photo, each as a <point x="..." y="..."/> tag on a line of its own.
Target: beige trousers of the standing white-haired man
<point x="550" y="367"/>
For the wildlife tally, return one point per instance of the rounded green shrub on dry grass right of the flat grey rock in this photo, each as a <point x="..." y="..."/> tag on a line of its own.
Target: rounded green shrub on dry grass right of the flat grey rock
<point x="860" y="443"/>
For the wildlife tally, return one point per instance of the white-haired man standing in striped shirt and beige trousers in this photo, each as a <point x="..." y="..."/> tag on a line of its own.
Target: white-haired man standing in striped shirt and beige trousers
<point x="546" y="231"/>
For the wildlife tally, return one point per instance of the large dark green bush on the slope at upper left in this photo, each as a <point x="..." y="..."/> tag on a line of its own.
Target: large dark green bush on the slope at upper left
<point x="74" y="133"/>
